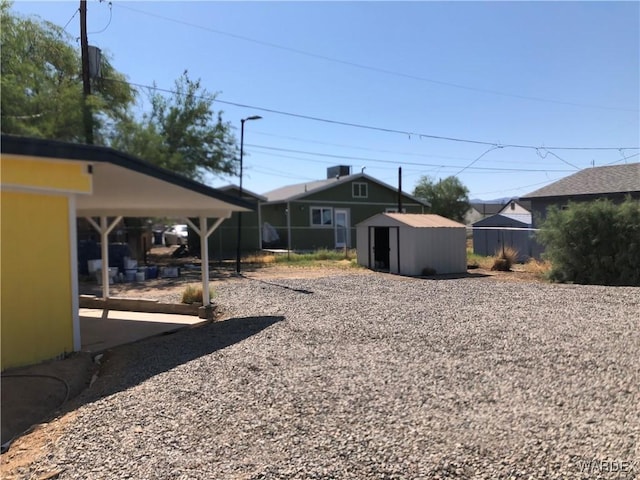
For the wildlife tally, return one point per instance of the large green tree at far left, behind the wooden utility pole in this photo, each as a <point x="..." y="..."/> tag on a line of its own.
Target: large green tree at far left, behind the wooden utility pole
<point x="42" y="83"/>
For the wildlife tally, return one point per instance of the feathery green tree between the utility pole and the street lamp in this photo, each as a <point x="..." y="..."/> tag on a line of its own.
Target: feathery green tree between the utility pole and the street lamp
<point x="182" y="132"/>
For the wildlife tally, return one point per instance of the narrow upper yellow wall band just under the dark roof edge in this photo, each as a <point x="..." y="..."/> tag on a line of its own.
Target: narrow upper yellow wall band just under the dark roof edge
<point x="46" y="174"/>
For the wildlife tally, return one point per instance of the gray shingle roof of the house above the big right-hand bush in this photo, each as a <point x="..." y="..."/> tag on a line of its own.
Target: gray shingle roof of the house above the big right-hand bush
<point x="593" y="181"/>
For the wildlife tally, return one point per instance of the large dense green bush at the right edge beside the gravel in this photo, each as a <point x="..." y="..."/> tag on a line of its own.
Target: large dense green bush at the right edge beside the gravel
<point x="593" y="243"/>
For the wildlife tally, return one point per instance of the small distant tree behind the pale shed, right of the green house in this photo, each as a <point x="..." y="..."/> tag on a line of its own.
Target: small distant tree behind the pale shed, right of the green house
<point x="448" y="197"/>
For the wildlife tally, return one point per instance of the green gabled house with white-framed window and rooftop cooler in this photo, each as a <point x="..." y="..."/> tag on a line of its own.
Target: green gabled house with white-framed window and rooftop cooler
<point x="322" y="214"/>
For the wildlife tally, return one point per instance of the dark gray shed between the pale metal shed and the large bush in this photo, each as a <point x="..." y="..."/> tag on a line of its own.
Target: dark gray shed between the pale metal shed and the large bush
<point x="492" y="233"/>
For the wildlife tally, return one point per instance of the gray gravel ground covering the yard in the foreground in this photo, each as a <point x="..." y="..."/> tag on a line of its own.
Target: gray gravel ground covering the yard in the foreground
<point x="374" y="376"/>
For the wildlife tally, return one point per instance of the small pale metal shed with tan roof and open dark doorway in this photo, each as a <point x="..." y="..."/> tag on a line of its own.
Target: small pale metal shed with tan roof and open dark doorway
<point x="409" y="244"/>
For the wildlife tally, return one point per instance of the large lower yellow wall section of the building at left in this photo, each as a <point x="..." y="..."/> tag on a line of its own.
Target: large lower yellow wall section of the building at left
<point x="35" y="278"/>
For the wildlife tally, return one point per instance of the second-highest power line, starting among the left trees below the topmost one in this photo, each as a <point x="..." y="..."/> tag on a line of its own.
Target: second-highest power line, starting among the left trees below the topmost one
<point x="379" y="129"/>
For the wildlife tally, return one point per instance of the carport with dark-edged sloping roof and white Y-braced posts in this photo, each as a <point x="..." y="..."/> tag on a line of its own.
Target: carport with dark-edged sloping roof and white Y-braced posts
<point x="125" y="186"/>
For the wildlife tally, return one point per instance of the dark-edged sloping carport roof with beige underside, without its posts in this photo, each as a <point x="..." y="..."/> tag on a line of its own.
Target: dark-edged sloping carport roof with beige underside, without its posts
<point x="128" y="186"/>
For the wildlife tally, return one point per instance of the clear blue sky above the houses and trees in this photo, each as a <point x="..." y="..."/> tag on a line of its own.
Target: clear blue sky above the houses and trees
<point x="537" y="74"/>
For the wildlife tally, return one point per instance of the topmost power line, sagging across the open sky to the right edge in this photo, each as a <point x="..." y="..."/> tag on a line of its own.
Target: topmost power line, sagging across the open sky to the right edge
<point x="373" y="68"/>
